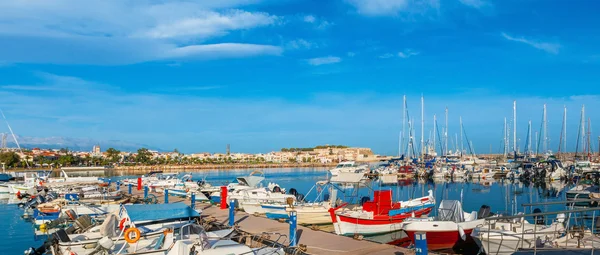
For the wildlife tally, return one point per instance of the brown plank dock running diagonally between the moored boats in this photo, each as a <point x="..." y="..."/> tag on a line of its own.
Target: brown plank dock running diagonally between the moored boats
<point x="315" y="241"/>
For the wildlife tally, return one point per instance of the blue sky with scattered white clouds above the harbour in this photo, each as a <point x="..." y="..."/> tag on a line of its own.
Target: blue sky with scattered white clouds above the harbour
<point x="262" y="75"/>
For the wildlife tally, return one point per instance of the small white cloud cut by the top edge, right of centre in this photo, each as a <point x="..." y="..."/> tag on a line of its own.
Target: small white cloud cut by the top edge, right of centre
<point x="393" y="7"/>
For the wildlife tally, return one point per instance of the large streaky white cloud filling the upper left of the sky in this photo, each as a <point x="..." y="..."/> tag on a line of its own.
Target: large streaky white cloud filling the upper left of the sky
<point x="126" y="32"/>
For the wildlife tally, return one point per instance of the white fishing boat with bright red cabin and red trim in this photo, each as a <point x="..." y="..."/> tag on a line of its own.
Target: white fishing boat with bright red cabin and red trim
<point x="379" y="216"/>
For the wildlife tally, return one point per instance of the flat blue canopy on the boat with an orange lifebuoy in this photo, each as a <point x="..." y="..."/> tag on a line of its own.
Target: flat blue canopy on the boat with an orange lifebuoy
<point x="155" y="212"/>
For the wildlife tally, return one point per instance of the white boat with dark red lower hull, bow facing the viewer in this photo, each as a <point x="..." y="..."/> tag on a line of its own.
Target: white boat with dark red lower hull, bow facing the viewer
<point x="451" y="228"/>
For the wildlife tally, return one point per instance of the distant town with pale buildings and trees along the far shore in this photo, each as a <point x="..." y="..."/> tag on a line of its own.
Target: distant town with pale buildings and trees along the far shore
<point x="48" y="158"/>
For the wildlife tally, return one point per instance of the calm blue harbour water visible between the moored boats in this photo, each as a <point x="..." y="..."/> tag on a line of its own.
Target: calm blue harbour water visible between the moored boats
<point x="502" y="196"/>
